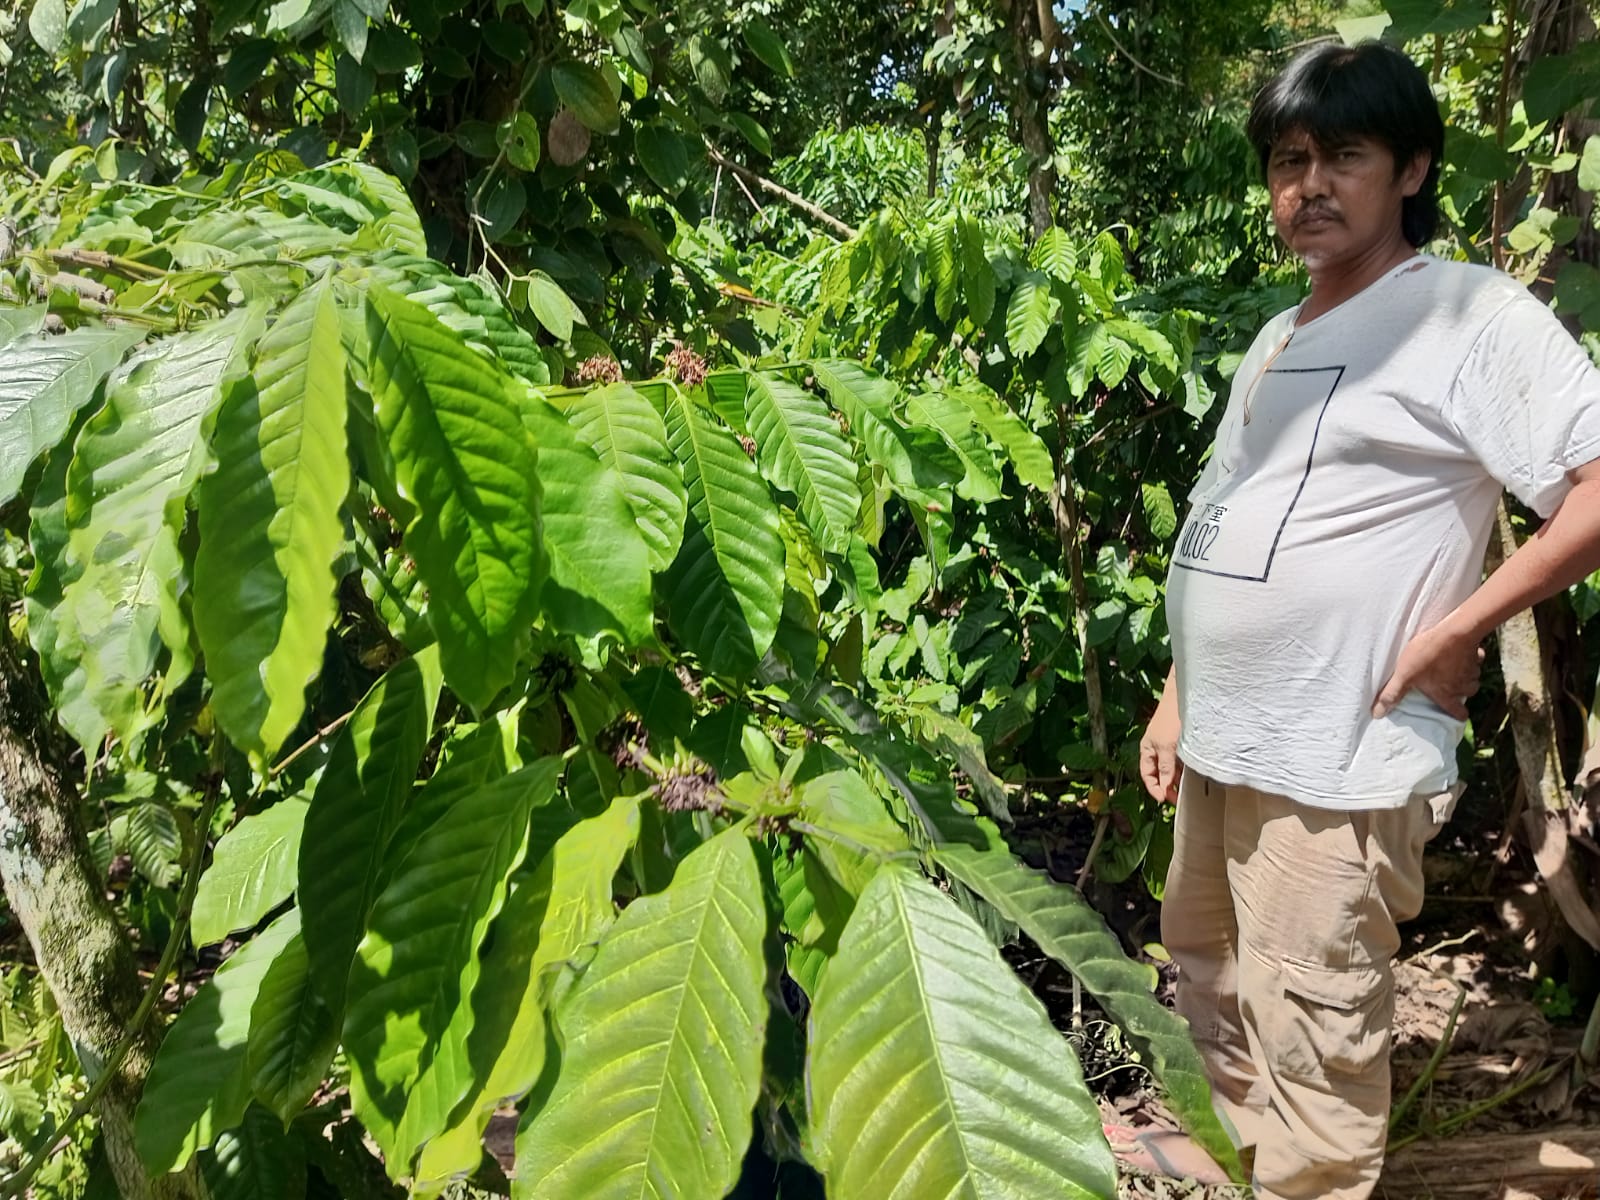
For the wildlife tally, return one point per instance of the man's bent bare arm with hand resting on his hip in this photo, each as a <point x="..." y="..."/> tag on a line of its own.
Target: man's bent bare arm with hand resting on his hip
<point x="1442" y="662"/>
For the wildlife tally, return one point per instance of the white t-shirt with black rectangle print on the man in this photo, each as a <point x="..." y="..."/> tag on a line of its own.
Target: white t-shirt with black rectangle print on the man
<point x="1350" y="511"/>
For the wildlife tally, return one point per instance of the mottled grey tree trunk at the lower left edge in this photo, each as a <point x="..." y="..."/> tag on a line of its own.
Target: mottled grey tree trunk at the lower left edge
<point x="57" y="897"/>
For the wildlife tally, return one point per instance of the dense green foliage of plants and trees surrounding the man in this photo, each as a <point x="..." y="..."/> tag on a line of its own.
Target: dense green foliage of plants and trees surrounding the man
<point x="559" y="617"/>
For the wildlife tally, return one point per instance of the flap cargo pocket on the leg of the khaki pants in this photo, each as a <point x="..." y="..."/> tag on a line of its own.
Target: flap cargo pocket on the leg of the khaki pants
<point x="1335" y="1023"/>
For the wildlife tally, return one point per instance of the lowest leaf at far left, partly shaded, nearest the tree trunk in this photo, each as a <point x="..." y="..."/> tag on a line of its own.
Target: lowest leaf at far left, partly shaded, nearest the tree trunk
<point x="199" y="1084"/>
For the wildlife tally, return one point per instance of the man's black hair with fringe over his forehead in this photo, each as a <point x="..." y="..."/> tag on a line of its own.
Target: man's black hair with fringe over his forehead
<point x="1369" y="90"/>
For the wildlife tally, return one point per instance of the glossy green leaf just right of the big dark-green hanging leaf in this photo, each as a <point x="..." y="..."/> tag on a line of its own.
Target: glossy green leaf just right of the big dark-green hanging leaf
<point x="599" y="562"/>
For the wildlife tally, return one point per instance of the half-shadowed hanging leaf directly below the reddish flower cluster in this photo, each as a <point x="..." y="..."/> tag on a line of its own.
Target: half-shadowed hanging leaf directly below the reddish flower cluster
<point x="727" y="585"/>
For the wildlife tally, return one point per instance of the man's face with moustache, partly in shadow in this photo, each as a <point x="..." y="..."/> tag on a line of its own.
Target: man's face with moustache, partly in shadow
<point x="1342" y="201"/>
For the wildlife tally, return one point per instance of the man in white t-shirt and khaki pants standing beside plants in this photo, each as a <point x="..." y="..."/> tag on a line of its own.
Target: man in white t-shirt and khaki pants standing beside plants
<point x="1326" y="609"/>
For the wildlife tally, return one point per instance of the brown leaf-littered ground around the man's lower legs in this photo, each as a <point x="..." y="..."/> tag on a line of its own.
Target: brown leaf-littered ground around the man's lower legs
<point x="1502" y="1118"/>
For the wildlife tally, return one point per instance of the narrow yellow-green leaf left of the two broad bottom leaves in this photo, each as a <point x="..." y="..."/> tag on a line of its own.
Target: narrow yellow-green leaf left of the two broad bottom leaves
<point x="550" y="918"/>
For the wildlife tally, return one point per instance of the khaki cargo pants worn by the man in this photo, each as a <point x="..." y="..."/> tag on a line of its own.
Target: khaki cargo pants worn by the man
<point x="1282" y="922"/>
